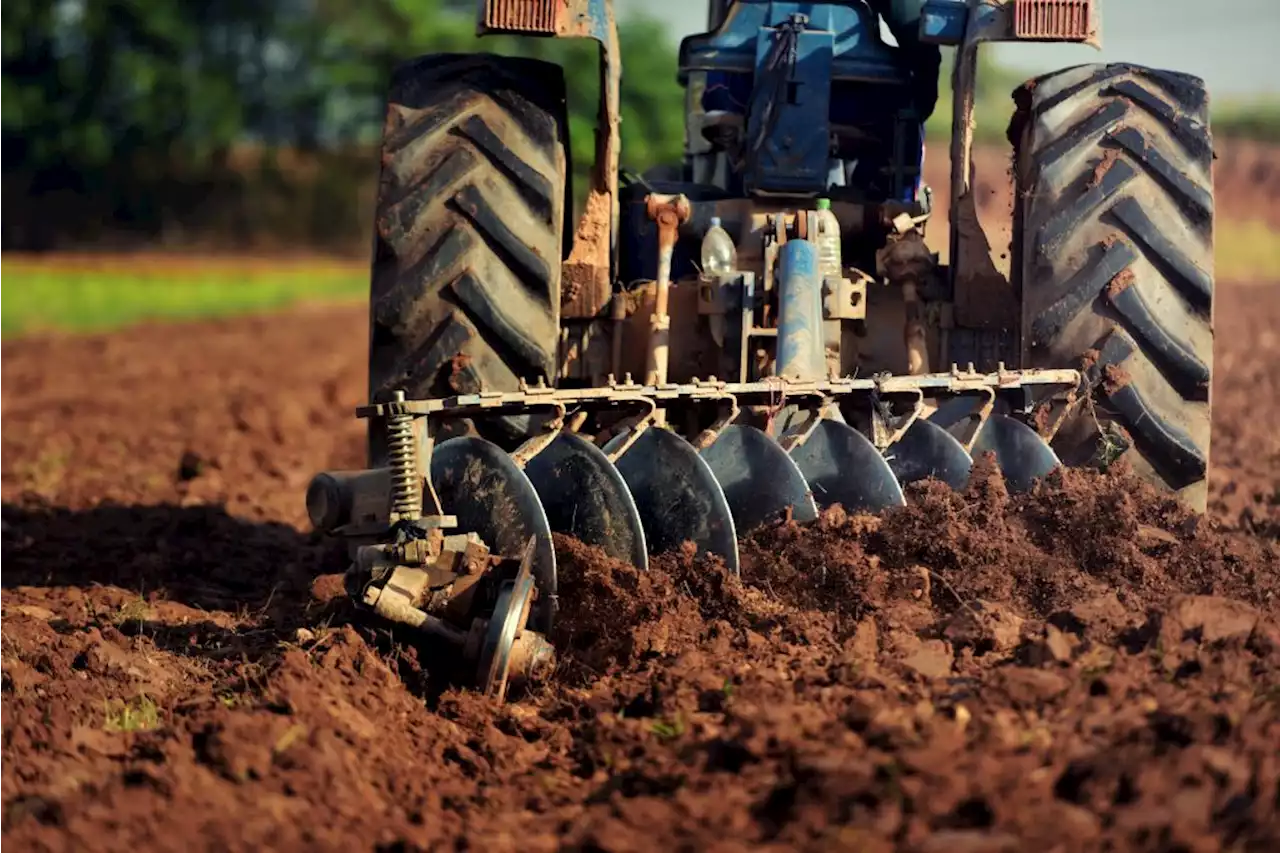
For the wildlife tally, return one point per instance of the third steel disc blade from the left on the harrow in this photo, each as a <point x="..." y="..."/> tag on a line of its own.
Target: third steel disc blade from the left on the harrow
<point x="678" y="496"/>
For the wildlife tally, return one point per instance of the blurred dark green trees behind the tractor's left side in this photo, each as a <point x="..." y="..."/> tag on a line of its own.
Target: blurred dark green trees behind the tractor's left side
<point x="115" y="103"/>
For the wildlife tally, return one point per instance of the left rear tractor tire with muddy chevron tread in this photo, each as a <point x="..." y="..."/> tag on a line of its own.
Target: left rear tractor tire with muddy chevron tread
<point x="470" y="232"/>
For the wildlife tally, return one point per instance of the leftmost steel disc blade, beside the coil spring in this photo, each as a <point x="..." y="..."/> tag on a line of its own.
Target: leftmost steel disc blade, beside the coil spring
<point x="479" y="483"/>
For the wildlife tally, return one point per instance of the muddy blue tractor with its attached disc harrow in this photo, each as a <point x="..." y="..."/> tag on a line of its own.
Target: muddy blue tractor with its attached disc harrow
<point x="761" y="331"/>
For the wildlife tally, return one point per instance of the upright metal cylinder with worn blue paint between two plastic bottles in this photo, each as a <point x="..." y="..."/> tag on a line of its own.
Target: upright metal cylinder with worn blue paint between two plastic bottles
<point x="801" y="334"/>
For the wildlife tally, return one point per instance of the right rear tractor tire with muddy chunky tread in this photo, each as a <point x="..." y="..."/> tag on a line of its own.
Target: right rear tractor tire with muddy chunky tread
<point x="1114" y="244"/>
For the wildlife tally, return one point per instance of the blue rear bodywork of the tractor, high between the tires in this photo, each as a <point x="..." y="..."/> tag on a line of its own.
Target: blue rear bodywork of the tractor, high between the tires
<point x="798" y="74"/>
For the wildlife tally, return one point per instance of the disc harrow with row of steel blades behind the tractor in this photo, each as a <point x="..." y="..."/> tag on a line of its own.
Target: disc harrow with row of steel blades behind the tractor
<point x="610" y="468"/>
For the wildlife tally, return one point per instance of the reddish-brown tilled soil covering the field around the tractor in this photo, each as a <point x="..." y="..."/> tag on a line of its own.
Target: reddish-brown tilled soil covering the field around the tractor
<point x="1086" y="668"/>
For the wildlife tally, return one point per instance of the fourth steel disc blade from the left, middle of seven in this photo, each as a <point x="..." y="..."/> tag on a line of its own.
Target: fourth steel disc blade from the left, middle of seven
<point x="761" y="481"/>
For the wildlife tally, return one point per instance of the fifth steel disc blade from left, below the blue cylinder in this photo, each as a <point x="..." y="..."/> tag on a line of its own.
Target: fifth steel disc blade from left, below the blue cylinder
<point x="844" y="468"/>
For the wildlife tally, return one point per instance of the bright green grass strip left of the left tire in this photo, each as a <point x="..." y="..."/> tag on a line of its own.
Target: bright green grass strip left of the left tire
<point x="39" y="297"/>
